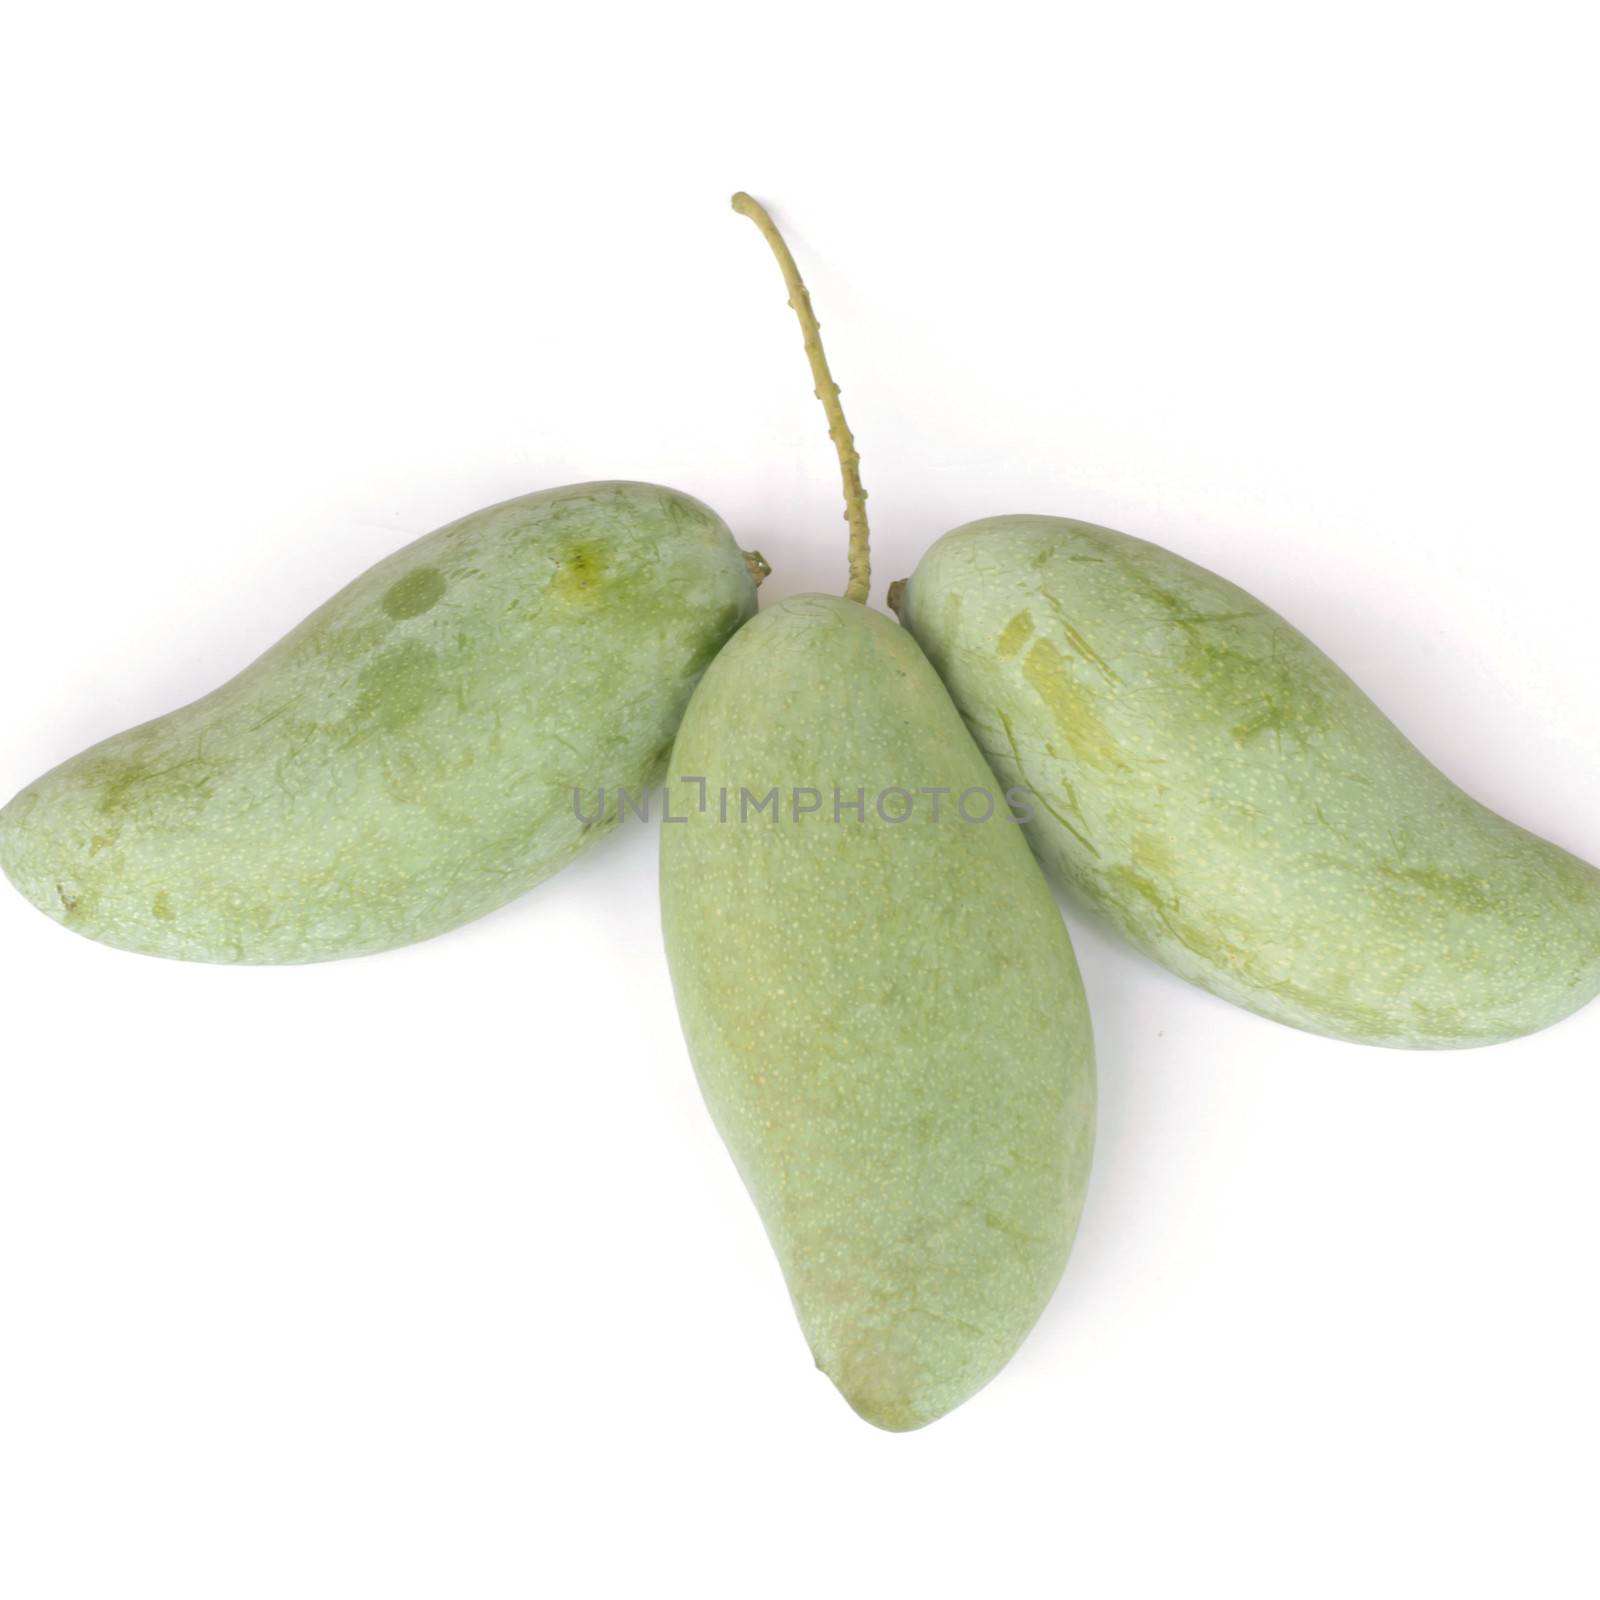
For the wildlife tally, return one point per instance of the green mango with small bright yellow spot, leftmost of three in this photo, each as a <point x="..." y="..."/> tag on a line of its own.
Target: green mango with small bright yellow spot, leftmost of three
<point x="406" y="759"/>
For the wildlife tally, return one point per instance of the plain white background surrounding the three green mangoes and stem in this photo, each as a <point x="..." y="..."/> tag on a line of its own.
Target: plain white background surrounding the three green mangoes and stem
<point x="426" y="1276"/>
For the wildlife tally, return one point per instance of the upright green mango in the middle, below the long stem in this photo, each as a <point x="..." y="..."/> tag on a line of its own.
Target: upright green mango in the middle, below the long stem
<point x="887" y="1018"/>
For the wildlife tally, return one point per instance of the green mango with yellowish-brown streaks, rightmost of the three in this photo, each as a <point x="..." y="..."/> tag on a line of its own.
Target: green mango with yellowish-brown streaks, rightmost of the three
<point x="1236" y="806"/>
